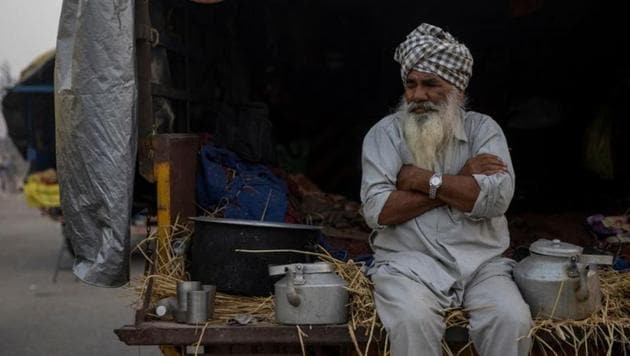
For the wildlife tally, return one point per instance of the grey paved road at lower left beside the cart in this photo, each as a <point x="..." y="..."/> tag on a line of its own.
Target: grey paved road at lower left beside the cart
<point x="38" y="317"/>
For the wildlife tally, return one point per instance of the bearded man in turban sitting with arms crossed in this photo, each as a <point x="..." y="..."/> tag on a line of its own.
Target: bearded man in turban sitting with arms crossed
<point x="437" y="181"/>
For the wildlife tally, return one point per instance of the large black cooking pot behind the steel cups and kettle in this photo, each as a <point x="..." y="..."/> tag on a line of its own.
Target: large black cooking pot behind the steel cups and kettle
<point x="215" y="261"/>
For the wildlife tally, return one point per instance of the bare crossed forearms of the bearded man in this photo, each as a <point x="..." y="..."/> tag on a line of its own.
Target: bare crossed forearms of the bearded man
<point x="410" y="199"/>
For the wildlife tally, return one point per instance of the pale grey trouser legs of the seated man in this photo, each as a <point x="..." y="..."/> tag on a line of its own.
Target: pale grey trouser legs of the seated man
<point x="413" y="314"/>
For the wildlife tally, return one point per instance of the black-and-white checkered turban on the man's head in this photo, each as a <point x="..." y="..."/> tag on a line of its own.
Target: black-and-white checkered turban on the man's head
<point x="430" y="49"/>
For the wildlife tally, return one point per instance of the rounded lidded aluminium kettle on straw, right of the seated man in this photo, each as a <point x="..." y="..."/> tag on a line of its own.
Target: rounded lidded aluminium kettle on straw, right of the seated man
<point x="558" y="281"/>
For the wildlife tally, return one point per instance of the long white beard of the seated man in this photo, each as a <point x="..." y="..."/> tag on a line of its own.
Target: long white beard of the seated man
<point x="427" y="134"/>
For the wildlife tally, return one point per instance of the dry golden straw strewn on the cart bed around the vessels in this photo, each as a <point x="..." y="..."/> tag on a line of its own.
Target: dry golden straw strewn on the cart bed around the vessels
<point x="594" y="335"/>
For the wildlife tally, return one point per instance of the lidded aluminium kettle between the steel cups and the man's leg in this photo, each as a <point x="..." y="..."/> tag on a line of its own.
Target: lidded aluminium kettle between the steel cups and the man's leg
<point x="309" y="293"/>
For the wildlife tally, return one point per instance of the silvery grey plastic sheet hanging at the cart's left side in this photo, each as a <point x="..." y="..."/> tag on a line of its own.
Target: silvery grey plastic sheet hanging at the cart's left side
<point x="95" y="95"/>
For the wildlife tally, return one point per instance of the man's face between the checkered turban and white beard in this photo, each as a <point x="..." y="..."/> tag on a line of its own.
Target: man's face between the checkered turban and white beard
<point x="422" y="87"/>
